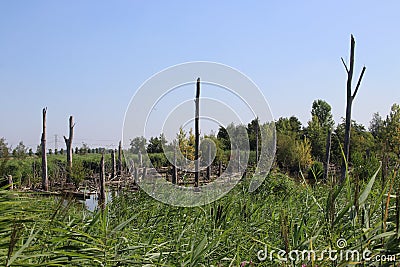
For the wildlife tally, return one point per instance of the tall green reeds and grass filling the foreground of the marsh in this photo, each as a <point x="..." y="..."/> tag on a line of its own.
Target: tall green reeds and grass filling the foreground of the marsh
<point x="135" y="230"/>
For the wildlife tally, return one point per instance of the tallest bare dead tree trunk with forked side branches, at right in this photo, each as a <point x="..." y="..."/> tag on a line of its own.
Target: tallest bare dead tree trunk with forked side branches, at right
<point x="349" y="101"/>
